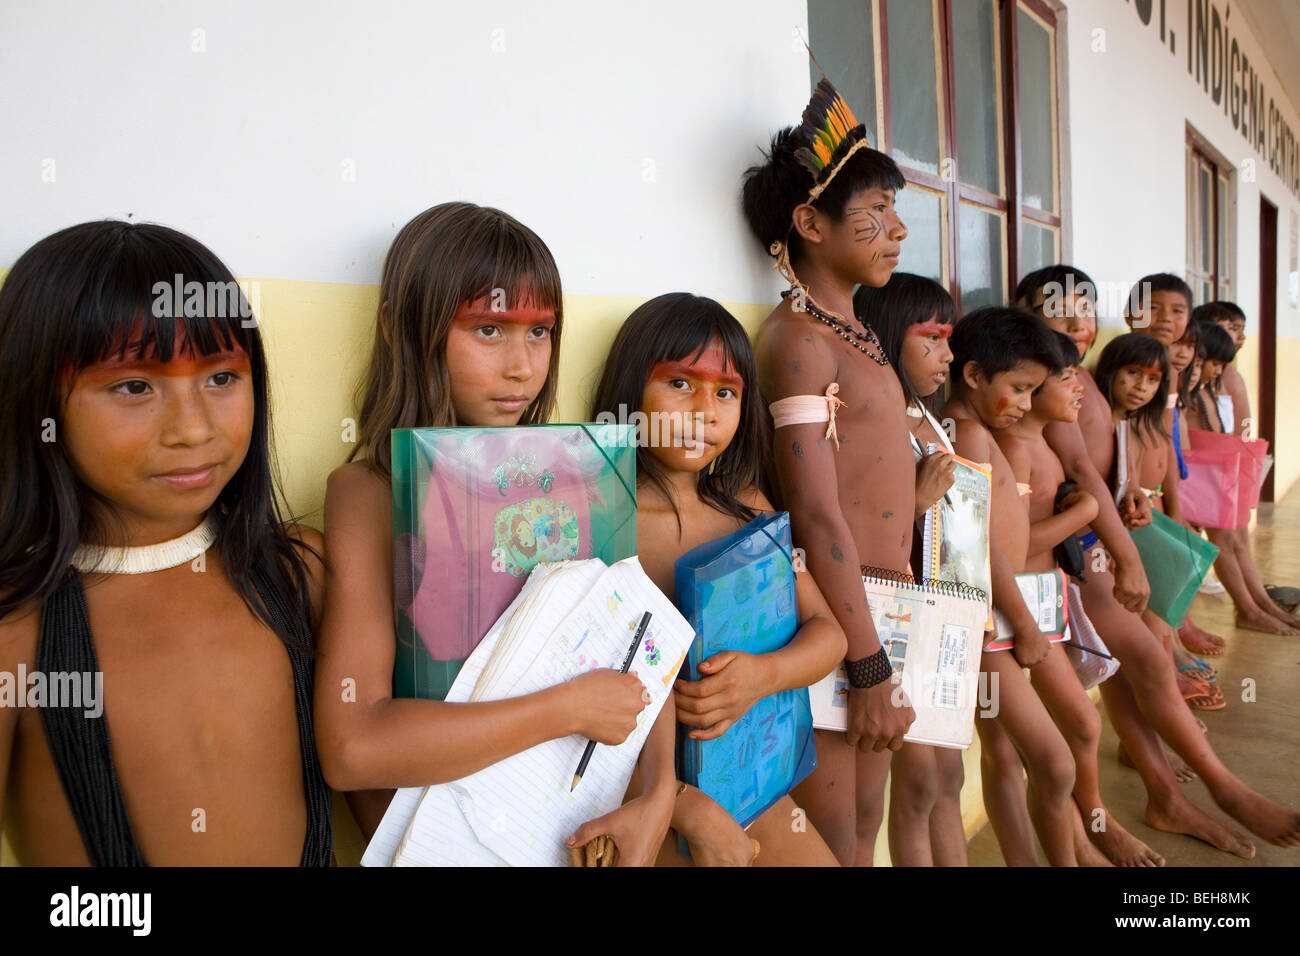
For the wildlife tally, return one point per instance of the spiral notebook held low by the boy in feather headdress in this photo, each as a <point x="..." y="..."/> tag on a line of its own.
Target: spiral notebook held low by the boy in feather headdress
<point x="934" y="633"/>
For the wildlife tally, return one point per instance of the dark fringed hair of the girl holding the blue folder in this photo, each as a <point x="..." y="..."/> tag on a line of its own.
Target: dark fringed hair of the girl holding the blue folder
<point x="679" y="327"/>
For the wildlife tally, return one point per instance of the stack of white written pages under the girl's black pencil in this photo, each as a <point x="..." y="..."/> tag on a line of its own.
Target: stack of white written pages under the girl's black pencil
<point x="571" y="617"/>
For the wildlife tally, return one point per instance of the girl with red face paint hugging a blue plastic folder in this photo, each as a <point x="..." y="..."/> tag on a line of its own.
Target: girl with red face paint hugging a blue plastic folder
<point x="686" y="361"/>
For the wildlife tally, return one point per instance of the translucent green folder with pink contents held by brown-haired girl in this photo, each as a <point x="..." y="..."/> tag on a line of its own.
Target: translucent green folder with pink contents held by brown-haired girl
<point x="476" y="509"/>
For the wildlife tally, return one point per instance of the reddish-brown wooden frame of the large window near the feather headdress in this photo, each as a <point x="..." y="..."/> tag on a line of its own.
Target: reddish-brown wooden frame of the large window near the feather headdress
<point x="955" y="193"/>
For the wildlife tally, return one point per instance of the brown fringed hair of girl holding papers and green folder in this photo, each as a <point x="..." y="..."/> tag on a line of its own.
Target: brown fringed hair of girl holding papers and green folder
<point x="448" y="256"/>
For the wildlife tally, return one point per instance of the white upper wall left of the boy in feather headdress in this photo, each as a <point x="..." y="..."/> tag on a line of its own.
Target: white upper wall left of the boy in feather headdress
<point x="552" y="111"/>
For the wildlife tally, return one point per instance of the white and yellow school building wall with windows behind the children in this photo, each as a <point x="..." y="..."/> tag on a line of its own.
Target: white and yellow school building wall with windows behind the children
<point x="294" y="139"/>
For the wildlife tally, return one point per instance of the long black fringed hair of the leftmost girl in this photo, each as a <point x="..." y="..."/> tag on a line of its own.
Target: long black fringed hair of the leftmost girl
<point x="86" y="295"/>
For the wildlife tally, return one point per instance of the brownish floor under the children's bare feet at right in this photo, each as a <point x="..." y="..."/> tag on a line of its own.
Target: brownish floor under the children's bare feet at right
<point x="1260" y="741"/>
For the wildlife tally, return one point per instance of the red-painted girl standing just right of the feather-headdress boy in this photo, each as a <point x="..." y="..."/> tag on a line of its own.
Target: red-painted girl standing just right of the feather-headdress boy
<point x="915" y="317"/>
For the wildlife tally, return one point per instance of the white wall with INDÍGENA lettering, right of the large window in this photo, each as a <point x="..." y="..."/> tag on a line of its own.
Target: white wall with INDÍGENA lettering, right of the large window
<point x="1130" y="106"/>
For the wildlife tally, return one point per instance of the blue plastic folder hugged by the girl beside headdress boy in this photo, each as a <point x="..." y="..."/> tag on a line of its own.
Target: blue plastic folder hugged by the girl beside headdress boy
<point x="739" y="595"/>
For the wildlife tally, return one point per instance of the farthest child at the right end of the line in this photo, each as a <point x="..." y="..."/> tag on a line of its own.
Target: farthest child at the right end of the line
<point x="1256" y="611"/>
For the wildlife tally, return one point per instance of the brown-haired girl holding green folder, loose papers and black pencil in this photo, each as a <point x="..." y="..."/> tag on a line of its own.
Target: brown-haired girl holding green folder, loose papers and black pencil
<point x="467" y="334"/>
